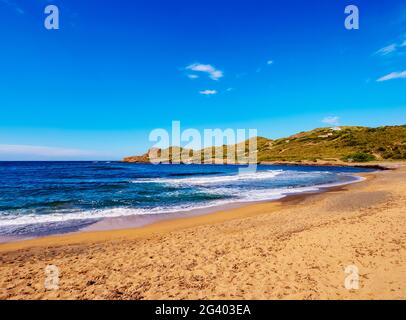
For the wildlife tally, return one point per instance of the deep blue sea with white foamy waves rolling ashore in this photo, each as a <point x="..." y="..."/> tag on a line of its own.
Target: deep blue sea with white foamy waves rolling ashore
<point x="48" y="197"/>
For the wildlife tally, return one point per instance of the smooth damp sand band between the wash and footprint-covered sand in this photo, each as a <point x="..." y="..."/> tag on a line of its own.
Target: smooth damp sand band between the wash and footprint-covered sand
<point x="176" y="222"/>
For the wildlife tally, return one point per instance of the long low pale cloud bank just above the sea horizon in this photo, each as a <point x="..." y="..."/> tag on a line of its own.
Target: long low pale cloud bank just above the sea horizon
<point x="12" y="149"/>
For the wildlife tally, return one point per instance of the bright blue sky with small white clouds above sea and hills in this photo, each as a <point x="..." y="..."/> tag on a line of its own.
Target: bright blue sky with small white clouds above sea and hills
<point x="115" y="70"/>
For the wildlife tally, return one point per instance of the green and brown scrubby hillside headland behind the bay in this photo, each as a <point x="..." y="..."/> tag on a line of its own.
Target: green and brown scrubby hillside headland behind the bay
<point x="349" y="144"/>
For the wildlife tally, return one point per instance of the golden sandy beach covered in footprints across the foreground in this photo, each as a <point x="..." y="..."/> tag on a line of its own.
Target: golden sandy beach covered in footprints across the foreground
<point x="297" y="248"/>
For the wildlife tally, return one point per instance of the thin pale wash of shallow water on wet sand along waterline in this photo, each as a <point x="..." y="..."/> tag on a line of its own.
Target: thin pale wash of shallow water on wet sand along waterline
<point x="134" y="222"/>
